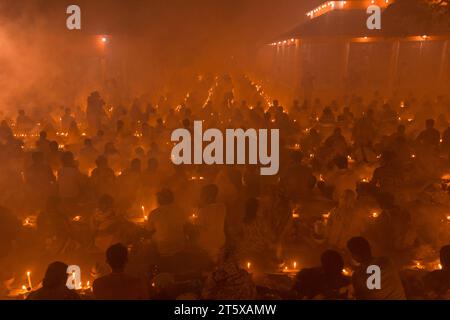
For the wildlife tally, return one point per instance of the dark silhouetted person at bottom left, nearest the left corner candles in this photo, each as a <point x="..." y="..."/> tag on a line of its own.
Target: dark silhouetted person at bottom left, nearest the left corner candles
<point x="54" y="285"/>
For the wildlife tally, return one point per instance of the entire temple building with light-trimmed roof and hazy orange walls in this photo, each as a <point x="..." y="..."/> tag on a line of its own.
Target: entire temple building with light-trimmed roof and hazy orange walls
<point x="334" y="52"/>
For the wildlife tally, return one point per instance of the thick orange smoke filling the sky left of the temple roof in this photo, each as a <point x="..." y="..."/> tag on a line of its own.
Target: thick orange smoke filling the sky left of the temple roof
<point x="153" y="43"/>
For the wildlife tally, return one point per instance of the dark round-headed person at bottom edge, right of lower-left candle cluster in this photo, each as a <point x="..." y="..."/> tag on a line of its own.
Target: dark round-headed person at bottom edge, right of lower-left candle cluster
<point x="118" y="285"/>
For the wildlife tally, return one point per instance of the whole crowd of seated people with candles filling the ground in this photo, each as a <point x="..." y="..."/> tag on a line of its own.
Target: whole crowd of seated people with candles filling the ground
<point x="362" y="181"/>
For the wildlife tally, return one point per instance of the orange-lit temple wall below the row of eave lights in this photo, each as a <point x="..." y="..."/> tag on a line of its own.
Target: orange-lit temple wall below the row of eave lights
<point x="359" y="66"/>
